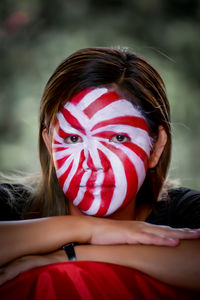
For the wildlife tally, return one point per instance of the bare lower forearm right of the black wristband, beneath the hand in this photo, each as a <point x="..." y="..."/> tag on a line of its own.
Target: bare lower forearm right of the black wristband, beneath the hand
<point x="179" y="266"/>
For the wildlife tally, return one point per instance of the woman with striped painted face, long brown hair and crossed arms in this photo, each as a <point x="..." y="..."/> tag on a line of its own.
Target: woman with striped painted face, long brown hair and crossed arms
<point x="105" y="146"/>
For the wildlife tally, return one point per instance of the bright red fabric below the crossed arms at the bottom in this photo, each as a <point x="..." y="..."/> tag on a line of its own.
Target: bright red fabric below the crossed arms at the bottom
<point x="84" y="280"/>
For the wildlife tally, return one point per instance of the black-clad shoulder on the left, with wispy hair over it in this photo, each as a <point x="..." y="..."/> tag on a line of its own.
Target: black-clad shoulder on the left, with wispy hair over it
<point x="13" y="198"/>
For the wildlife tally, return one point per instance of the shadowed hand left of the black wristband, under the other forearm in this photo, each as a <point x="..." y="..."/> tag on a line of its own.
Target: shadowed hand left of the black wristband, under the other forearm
<point x="28" y="262"/>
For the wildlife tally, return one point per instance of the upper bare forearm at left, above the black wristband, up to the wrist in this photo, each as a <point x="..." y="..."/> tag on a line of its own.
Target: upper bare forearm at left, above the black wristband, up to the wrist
<point x="19" y="238"/>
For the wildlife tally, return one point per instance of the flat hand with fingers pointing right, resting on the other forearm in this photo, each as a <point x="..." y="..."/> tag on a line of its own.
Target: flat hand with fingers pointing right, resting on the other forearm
<point x="137" y="232"/>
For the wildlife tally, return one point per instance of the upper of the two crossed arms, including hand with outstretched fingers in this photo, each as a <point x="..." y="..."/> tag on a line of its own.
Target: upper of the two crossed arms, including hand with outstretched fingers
<point x="20" y="238"/>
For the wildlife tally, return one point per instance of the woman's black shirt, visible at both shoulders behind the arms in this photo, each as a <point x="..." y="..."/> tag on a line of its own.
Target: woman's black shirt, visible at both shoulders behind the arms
<point x="180" y="209"/>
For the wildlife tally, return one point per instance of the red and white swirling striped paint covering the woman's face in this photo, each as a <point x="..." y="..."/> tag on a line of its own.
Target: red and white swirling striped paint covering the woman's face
<point x="101" y="148"/>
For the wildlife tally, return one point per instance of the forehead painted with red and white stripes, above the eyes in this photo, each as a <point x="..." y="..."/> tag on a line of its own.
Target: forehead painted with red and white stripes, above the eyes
<point x="100" y="105"/>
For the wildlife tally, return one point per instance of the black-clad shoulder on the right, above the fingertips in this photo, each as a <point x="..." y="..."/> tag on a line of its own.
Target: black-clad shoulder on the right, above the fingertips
<point x="181" y="208"/>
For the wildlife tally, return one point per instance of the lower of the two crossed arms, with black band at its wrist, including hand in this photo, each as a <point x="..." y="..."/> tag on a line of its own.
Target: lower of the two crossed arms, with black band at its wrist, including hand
<point x="178" y="266"/>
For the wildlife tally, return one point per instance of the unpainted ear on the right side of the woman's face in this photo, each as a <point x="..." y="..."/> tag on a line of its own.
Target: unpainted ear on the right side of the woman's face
<point x="158" y="147"/>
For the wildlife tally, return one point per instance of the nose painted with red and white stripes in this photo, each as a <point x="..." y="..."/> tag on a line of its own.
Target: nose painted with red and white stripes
<point x="95" y="161"/>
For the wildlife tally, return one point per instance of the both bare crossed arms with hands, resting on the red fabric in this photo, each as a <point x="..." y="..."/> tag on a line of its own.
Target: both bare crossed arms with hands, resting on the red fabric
<point x="169" y="255"/>
